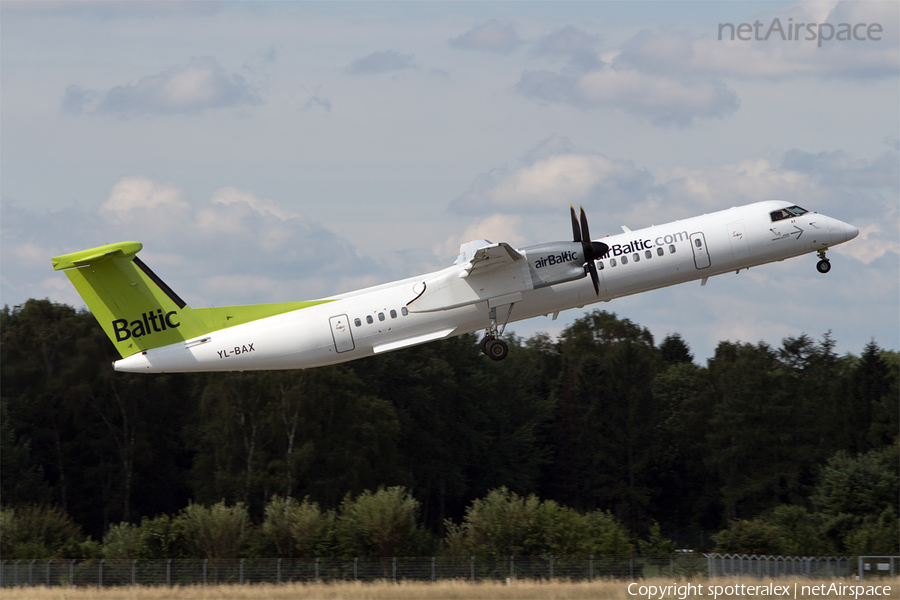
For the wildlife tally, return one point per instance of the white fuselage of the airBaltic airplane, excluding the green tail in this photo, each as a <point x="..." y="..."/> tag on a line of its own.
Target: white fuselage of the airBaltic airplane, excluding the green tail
<point x="452" y="302"/>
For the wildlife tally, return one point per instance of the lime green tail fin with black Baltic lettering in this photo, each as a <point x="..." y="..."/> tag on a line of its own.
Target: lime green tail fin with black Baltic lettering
<point x="137" y="310"/>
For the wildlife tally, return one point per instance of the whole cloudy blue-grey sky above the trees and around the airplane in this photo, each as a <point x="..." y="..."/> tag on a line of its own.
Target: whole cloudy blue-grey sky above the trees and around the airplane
<point x="280" y="151"/>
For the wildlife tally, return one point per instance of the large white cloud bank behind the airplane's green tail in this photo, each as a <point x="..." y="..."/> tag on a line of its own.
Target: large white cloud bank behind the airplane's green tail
<point x="234" y="248"/>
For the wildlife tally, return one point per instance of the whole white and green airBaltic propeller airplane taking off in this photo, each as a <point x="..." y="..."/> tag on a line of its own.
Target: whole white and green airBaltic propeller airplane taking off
<point x="488" y="286"/>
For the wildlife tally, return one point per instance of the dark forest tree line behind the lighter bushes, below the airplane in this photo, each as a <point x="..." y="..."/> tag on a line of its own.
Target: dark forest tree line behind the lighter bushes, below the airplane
<point x="781" y="449"/>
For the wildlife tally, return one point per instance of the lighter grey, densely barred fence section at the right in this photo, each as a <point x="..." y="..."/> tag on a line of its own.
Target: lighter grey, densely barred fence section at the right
<point x="730" y="565"/>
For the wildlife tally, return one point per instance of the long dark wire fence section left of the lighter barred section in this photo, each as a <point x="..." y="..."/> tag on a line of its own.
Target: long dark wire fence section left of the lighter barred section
<point x="171" y="572"/>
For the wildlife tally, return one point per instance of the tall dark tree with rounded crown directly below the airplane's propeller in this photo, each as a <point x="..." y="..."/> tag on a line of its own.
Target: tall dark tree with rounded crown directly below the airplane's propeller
<point x="607" y="418"/>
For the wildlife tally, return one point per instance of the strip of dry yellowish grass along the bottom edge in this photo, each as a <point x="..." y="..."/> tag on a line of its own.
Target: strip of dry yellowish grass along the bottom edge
<point x="492" y="590"/>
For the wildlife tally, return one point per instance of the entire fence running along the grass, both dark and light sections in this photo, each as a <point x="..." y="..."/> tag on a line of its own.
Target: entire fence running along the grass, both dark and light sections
<point x="172" y="572"/>
